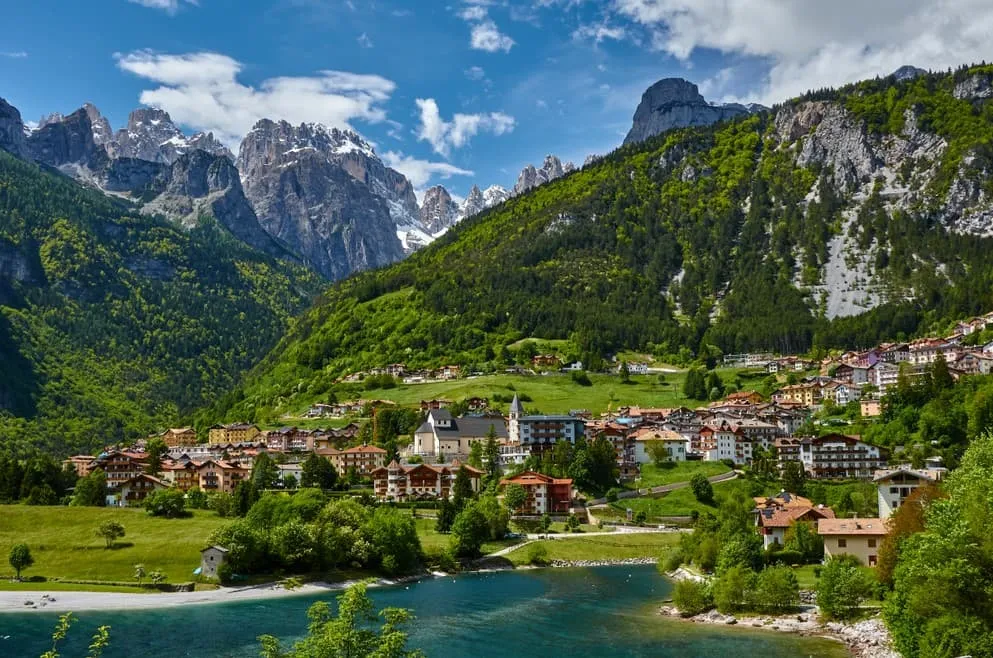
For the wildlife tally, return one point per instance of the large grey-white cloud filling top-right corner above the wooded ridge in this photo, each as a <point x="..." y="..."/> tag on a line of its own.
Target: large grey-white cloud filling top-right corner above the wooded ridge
<point x="811" y="44"/>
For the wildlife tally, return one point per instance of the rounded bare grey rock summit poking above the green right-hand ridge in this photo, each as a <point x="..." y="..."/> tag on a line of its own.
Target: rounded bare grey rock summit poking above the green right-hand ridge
<point x="676" y="103"/>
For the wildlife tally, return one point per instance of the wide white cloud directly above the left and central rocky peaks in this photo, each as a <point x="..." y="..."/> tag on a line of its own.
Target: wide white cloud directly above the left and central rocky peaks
<point x="201" y="90"/>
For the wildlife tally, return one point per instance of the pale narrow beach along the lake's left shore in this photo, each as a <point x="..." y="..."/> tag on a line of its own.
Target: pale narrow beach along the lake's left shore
<point x="41" y="601"/>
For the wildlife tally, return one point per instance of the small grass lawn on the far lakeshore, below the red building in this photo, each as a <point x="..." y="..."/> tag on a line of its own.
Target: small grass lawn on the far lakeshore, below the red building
<point x="607" y="547"/>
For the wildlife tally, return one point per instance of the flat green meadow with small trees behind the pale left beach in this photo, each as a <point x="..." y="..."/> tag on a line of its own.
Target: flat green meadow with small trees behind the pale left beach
<point x="64" y="544"/>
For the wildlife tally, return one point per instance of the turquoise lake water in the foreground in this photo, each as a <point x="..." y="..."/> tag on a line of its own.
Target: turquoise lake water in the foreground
<point x="601" y="612"/>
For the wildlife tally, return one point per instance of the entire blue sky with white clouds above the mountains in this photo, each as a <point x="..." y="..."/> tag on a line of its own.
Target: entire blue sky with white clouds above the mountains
<point x="457" y="92"/>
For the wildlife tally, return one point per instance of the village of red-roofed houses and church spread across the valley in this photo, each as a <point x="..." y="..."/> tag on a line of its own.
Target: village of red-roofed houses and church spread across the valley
<point x="736" y="430"/>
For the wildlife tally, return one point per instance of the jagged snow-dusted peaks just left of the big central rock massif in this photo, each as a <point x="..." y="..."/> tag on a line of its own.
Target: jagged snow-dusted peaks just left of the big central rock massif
<point x="151" y="135"/>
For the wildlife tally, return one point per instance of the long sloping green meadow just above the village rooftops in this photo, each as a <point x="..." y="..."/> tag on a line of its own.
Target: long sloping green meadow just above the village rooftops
<point x="549" y="393"/>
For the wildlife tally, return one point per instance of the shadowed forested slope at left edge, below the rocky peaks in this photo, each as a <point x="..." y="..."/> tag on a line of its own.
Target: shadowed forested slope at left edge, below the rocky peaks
<point x="113" y="324"/>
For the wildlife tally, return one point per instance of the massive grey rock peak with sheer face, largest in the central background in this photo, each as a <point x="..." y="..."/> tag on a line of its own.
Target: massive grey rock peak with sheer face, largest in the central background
<point x="303" y="196"/>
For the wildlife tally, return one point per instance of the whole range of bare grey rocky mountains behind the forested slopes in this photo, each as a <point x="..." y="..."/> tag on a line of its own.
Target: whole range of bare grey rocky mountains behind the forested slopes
<point x="310" y="194"/>
